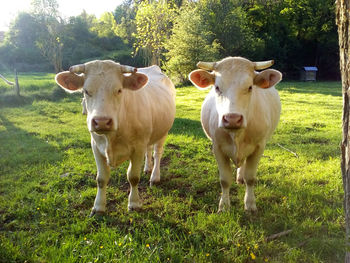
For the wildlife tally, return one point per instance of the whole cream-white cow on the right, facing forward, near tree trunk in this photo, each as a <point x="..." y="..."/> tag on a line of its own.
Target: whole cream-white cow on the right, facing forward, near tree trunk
<point x="239" y="114"/>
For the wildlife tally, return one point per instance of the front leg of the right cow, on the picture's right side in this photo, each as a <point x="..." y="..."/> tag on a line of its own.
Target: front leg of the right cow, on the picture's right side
<point x="250" y="167"/>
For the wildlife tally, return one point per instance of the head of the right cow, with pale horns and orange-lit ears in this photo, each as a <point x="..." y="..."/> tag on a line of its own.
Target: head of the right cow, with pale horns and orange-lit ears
<point x="235" y="79"/>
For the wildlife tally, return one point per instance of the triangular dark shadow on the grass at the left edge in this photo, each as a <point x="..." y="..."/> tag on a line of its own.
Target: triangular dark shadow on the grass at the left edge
<point x="21" y="147"/>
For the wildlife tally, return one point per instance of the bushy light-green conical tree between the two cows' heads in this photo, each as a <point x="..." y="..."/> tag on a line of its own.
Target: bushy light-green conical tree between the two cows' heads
<point x="190" y="42"/>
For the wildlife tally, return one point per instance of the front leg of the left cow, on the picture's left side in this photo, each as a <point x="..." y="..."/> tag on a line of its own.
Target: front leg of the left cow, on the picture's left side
<point x="103" y="175"/>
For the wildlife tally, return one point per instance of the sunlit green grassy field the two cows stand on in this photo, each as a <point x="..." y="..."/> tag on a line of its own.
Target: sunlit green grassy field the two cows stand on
<point x="47" y="186"/>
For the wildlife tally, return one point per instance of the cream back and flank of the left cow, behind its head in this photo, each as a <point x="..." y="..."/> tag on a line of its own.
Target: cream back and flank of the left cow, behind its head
<point x="149" y="113"/>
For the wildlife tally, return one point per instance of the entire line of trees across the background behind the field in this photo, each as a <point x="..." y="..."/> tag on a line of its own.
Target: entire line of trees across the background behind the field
<point x="176" y="34"/>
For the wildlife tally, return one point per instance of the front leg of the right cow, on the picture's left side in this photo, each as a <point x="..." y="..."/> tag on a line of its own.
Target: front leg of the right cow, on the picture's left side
<point x="225" y="172"/>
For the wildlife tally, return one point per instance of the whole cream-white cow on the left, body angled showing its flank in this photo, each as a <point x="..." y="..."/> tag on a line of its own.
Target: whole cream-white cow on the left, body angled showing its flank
<point x="127" y="113"/>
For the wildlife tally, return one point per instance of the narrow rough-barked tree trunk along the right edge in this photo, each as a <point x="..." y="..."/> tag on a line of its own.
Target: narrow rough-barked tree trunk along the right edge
<point x="343" y="15"/>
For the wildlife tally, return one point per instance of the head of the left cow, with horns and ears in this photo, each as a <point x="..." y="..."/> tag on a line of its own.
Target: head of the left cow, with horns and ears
<point x="103" y="84"/>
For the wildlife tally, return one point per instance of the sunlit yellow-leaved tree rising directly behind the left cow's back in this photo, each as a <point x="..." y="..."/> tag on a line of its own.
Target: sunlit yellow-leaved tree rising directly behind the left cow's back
<point x="153" y="25"/>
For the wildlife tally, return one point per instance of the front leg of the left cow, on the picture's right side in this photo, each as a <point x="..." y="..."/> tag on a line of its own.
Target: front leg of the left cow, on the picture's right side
<point x="134" y="172"/>
